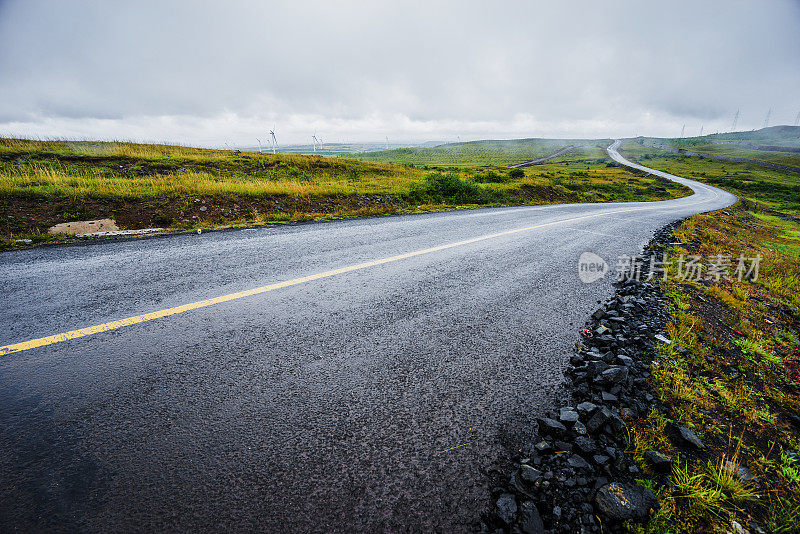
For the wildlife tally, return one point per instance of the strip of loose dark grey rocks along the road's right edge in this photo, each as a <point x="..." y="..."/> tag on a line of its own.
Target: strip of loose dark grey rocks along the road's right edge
<point x="574" y="476"/>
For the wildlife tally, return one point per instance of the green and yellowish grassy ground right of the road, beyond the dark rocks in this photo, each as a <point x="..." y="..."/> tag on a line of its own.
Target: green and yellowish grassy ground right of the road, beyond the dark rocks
<point x="738" y="378"/>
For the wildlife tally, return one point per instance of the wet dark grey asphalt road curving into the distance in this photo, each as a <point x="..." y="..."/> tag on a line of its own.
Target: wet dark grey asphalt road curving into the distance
<point x="323" y="406"/>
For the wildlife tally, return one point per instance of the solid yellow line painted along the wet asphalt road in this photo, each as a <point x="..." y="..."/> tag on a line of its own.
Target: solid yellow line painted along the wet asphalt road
<point x="113" y="325"/>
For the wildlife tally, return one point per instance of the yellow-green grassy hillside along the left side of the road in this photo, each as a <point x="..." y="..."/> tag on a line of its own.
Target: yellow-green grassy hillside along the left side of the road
<point x="43" y="183"/>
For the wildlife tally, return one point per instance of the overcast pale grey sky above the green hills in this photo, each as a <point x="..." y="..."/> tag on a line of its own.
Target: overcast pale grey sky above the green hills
<point x="207" y="73"/>
